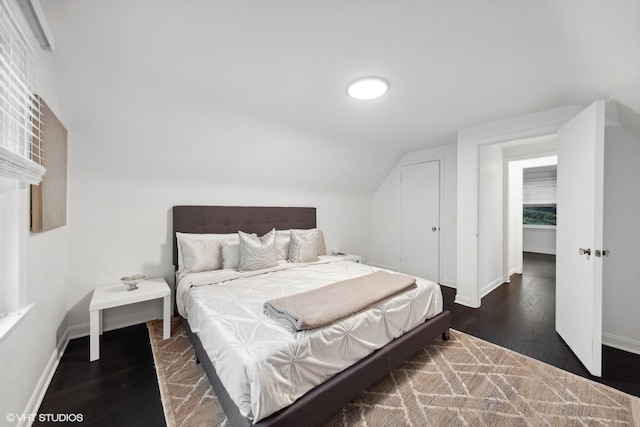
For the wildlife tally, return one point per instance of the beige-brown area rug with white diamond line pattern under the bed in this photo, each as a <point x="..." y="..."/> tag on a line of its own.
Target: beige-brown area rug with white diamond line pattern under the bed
<point x="461" y="382"/>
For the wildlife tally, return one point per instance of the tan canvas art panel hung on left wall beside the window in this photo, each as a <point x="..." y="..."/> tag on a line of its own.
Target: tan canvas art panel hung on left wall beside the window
<point x="49" y="199"/>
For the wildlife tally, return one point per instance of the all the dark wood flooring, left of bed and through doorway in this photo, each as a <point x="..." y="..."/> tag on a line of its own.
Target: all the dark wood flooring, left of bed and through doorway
<point x="120" y="389"/>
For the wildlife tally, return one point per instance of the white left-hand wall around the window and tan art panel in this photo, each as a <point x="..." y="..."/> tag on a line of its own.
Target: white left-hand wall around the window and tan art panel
<point x="29" y="354"/>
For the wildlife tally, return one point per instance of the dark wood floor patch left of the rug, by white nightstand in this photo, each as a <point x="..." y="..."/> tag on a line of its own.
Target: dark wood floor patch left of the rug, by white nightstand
<point x="119" y="389"/>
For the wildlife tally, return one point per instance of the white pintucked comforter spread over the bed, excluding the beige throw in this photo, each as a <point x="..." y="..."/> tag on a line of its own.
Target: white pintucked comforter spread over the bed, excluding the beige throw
<point x="263" y="364"/>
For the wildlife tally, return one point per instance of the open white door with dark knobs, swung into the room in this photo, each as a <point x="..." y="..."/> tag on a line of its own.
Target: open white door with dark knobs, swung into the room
<point x="579" y="235"/>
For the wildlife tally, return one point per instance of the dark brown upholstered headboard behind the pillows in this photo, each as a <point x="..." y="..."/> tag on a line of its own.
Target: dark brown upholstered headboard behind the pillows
<point x="230" y="219"/>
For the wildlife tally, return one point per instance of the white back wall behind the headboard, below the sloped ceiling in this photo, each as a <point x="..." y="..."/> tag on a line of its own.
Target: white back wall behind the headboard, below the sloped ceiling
<point x="109" y="241"/>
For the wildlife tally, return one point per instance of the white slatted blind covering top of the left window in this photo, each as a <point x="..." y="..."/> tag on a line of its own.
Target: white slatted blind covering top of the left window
<point x="20" y="118"/>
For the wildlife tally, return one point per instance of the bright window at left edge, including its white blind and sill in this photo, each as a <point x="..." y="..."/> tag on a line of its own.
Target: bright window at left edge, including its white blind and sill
<point x="20" y="157"/>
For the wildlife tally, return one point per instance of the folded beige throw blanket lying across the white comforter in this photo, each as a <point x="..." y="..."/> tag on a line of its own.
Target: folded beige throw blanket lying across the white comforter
<point x="325" y="305"/>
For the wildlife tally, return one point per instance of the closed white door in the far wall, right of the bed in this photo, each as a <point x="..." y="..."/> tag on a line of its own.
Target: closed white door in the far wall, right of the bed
<point x="420" y="229"/>
